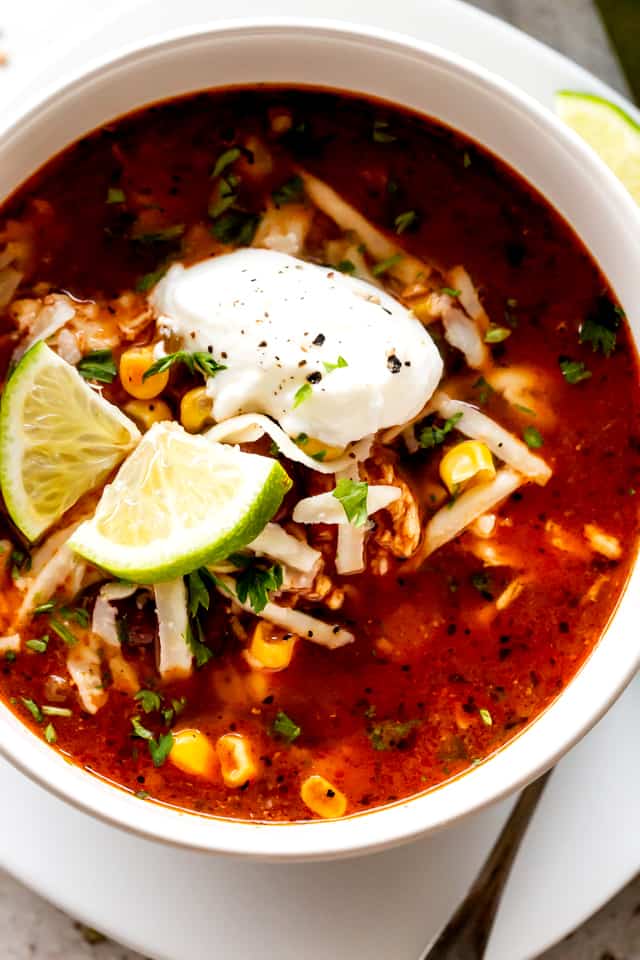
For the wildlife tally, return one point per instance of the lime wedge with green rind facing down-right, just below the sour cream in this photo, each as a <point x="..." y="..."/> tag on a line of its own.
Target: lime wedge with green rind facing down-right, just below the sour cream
<point x="178" y="502"/>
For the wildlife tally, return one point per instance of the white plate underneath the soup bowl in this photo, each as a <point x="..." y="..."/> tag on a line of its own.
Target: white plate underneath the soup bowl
<point x="584" y="843"/>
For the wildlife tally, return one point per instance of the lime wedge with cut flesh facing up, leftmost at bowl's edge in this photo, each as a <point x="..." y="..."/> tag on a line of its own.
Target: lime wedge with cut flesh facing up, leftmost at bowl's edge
<point x="58" y="439"/>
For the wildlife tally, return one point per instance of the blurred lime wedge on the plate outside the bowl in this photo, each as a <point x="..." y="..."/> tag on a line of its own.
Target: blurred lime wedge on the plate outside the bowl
<point x="612" y="133"/>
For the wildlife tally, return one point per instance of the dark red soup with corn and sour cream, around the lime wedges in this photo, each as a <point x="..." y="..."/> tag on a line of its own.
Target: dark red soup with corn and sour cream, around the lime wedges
<point x="457" y="647"/>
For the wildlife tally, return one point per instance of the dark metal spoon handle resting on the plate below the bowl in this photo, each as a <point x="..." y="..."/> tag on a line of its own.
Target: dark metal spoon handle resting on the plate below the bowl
<point x="467" y="933"/>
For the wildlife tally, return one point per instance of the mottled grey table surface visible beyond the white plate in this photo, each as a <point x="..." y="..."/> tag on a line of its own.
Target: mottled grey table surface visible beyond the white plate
<point x="31" y="929"/>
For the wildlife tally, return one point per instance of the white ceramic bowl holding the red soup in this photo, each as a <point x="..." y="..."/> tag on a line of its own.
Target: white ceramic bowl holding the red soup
<point x="553" y="160"/>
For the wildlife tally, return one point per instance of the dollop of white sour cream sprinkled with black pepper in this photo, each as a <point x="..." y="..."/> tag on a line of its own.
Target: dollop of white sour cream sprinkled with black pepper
<point x="322" y="353"/>
